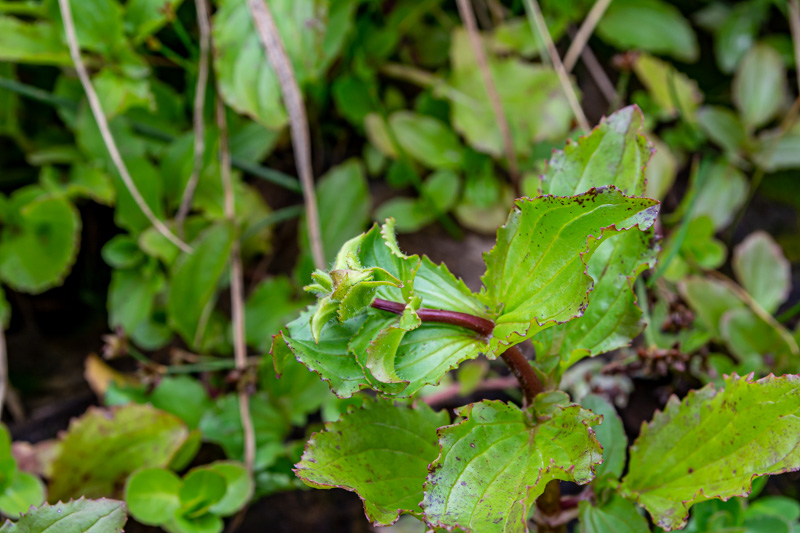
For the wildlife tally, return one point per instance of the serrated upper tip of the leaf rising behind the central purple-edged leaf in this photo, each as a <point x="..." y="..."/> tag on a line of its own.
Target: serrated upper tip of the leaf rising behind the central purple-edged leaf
<point x="615" y="153"/>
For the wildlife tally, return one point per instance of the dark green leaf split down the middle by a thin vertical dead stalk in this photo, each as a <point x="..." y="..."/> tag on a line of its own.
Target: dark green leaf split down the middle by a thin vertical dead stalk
<point x="223" y="425"/>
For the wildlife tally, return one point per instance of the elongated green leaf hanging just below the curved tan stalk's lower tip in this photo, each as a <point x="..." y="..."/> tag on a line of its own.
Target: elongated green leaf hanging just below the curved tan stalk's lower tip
<point x="194" y="280"/>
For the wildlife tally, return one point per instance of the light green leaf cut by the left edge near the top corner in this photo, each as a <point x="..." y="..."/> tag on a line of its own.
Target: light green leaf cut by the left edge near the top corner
<point x="31" y="42"/>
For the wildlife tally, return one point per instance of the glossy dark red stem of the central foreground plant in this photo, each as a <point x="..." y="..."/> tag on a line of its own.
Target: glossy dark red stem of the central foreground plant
<point x="512" y="357"/>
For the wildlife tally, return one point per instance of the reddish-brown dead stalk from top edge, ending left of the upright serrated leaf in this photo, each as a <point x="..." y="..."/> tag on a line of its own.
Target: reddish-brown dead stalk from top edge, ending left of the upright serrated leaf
<point x="467" y="15"/>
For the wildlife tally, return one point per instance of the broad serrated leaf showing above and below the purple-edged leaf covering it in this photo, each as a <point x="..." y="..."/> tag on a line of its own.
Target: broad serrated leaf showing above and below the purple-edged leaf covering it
<point x="615" y="153"/>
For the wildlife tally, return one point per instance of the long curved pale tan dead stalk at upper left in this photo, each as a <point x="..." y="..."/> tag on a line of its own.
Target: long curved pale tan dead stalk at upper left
<point x="105" y="132"/>
